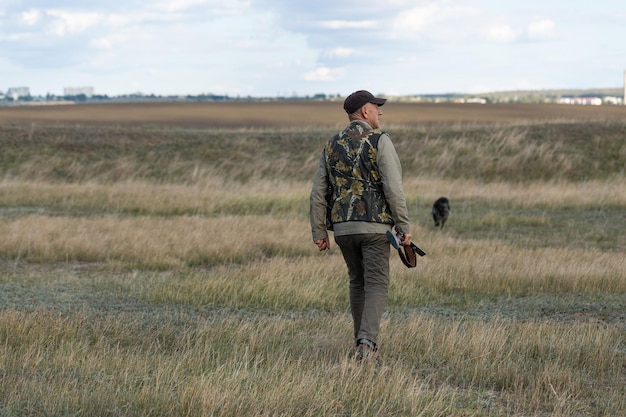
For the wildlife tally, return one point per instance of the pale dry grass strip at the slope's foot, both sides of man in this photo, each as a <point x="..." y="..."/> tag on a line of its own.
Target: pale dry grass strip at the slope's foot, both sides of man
<point x="213" y="196"/>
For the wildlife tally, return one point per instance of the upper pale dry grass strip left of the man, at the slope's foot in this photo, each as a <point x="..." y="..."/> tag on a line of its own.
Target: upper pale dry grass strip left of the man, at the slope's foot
<point x="210" y="198"/>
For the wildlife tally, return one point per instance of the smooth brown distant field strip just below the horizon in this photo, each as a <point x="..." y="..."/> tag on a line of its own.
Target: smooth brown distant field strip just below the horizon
<point x="298" y="114"/>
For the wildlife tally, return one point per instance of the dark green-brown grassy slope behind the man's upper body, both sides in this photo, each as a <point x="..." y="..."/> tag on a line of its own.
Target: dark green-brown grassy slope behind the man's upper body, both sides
<point x="544" y="152"/>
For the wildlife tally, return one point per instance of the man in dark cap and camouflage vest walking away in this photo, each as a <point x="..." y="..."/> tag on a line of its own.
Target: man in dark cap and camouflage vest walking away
<point x="359" y="179"/>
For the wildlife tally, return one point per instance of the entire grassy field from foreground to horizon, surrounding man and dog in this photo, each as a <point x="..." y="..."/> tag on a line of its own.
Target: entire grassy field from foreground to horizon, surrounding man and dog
<point x="157" y="260"/>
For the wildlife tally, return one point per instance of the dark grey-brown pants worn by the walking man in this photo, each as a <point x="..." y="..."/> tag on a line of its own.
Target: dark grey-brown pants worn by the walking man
<point x="367" y="258"/>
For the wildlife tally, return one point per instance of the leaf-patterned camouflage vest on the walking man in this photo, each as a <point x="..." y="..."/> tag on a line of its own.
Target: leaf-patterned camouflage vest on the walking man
<point x="357" y="191"/>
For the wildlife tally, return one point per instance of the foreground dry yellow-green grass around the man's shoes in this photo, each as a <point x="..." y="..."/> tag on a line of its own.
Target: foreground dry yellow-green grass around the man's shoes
<point x="176" y="363"/>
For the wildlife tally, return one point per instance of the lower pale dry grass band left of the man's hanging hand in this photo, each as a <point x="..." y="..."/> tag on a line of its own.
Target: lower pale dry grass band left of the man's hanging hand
<point x="150" y="242"/>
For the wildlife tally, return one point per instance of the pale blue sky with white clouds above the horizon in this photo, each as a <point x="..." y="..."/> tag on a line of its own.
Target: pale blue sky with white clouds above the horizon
<point x="265" y="48"/>
